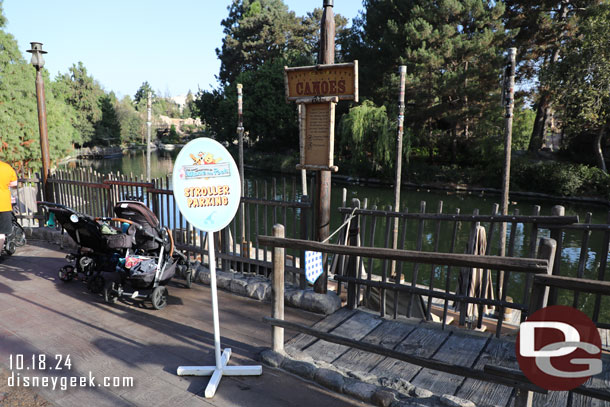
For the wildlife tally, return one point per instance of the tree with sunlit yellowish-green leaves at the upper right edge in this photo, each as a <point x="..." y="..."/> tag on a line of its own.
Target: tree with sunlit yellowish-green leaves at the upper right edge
<point x="581" y="80"/>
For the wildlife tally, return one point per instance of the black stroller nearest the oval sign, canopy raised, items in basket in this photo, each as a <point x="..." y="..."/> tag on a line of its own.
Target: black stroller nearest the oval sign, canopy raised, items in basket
<point x="149" y="266"/>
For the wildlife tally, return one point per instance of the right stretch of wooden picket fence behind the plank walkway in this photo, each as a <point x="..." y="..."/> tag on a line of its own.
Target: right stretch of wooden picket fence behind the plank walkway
<point x="454" y="233"/>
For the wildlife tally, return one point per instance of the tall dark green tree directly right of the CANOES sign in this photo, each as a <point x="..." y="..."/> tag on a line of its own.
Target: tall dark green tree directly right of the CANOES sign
<point x="453" y="52"/>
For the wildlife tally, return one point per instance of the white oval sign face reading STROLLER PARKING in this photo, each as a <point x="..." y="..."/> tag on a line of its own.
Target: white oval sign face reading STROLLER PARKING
<point x="207" y="187"/>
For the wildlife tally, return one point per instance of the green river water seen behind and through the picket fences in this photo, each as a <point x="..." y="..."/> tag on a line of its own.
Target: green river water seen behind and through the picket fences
<point x="382" y="196"/>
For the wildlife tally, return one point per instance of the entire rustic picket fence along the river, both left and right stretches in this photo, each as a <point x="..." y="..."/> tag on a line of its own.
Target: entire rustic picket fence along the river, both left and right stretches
<point x="267" y="203"/>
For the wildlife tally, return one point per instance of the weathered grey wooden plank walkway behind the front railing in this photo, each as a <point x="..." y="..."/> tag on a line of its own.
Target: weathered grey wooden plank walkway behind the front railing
<point x="427" y="339"/>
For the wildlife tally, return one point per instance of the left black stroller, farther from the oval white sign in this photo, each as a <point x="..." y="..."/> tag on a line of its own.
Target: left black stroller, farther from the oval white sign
<point x="100" y="246"/>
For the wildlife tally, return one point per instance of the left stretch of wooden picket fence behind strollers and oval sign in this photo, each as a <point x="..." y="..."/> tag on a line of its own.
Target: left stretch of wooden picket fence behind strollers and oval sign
<point x="96" y="194"/>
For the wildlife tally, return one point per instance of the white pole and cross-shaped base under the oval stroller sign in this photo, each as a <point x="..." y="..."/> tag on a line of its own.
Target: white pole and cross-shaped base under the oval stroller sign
<point x="221" y="368"/>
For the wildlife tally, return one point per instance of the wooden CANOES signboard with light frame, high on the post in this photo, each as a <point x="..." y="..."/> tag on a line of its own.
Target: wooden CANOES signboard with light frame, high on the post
<point x="322" y="70"/>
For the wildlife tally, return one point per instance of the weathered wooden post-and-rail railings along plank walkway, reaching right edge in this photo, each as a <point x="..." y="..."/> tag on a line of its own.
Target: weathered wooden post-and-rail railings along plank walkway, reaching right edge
<point x="540" y="269"/>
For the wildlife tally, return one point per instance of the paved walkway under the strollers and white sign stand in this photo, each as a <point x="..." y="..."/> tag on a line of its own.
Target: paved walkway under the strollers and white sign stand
<point x="40" y="315"/>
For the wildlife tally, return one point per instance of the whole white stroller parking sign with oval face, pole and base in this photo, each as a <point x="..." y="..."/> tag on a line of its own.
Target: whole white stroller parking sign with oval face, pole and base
<point x="207" y="189"/>
